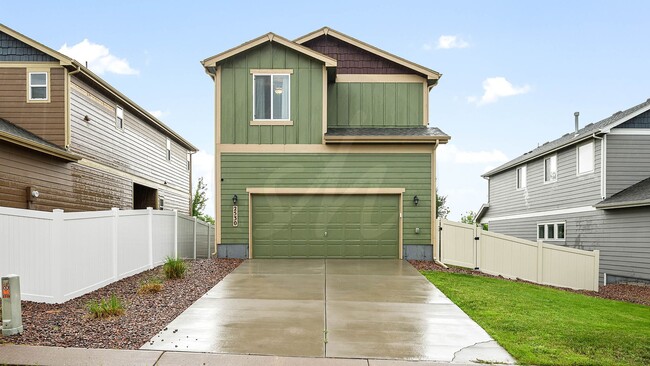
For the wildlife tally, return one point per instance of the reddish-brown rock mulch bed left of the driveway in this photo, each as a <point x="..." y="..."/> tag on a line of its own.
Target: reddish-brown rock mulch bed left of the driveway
<point x="68" y="324"/>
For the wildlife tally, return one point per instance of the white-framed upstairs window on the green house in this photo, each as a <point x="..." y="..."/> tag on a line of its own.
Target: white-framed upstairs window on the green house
<point x="271" y="94"/>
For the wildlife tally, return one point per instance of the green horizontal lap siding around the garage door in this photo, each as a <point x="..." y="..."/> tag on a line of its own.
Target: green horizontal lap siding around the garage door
<point x="409" y="171"/>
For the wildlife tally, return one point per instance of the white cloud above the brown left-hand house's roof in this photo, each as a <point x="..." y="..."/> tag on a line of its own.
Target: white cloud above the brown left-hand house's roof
<point x="98" y="57"/>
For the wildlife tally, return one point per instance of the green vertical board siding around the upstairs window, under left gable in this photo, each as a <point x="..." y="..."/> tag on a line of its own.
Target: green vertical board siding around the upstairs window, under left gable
<point x="237" y="97"/>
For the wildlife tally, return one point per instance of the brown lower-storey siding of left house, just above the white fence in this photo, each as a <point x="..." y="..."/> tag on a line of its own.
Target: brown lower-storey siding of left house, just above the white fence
<point x="61" y="184"/>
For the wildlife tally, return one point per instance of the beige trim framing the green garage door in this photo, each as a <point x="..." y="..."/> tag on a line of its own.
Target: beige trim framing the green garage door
<point x="324" y="191"/>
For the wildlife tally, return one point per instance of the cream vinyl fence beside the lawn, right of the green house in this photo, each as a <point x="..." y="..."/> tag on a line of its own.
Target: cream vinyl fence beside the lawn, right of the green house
<point x="497" y="254"/>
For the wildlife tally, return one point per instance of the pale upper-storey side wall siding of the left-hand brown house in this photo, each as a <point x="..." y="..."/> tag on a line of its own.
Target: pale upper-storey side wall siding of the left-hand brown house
<point x="138" y="149"/>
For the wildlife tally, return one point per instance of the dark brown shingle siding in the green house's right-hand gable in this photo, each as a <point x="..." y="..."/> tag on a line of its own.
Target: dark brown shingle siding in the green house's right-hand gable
<point x="354" y="60"/>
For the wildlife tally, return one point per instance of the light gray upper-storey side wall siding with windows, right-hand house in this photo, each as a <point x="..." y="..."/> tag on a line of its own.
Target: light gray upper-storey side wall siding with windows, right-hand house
<point x="570" y="189"/>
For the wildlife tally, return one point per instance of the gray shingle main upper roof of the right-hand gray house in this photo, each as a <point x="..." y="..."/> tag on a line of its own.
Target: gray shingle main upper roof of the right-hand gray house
<point x="568" y="138"/>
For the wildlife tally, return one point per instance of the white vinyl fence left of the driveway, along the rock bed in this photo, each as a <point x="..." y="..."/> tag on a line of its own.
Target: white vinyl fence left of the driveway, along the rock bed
<point x="60" y="255"/>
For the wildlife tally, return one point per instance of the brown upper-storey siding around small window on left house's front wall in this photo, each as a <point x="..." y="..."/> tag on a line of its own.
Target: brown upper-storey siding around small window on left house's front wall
<point x="46" y="120"/>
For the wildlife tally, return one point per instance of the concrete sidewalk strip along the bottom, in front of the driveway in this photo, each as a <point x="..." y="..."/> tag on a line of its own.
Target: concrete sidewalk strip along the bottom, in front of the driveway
<point x="38" y="355"/>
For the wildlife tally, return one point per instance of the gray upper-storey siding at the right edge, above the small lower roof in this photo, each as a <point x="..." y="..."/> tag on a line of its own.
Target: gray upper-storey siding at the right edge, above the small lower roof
<point x="628" y="161"/>
